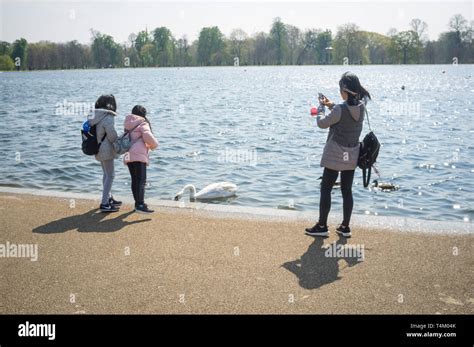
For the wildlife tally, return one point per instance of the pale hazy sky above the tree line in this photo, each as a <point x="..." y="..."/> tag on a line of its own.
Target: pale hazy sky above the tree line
<point x="66" y="20"/>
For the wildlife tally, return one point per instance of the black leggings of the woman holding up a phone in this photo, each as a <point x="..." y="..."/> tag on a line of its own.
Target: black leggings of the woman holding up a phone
<point x="329" y="178"/>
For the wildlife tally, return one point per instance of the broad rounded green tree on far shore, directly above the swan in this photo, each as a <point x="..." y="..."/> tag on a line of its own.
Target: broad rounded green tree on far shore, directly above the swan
<point x="211" y="47"/>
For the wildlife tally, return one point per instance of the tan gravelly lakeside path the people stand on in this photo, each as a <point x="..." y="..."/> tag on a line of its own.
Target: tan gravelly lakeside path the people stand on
<point x="180" y="261"/>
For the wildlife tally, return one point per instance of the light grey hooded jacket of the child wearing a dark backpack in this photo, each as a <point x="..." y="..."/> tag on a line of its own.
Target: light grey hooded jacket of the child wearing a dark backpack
<point x="104" y="119"/>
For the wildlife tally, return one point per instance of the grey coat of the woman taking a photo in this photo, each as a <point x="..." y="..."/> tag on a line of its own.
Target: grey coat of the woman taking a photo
<point x="341" y="151"/>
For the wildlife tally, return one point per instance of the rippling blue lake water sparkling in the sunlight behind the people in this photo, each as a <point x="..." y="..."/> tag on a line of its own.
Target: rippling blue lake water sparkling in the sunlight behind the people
<point x="251" y="126"/>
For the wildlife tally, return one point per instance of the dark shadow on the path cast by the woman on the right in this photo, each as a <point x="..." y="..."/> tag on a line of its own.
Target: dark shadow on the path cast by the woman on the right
<point x="314" y="269"/>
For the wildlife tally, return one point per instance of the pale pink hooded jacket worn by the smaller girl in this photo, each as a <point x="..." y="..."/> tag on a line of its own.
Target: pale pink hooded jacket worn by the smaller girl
<point x="142" y="140"/>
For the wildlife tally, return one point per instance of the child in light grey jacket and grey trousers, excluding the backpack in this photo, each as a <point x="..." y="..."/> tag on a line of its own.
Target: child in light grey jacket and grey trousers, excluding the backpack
<point x="103" y="117"/>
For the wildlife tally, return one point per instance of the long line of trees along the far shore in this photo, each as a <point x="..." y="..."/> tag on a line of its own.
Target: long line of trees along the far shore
<point x="284" y="44"/>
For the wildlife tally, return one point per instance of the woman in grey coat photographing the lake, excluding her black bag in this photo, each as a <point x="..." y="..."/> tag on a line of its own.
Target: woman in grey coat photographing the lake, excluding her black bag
<point x="341" y="151"/>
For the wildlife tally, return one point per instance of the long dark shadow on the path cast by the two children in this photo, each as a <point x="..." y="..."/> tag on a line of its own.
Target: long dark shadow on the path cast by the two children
<point x="91" y="221"/>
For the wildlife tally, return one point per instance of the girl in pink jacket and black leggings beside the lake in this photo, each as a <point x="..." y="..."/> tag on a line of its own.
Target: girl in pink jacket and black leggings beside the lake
<point x="137" y="158"/>
